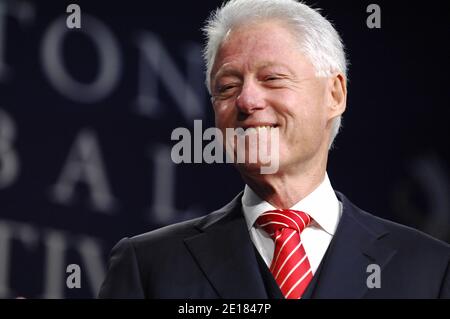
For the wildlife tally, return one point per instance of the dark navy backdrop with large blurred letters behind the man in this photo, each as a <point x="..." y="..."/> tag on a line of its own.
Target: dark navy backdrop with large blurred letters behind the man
<point x="79" y="170"/>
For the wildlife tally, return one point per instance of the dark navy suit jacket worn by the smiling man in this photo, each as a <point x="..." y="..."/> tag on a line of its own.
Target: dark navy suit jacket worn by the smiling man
<point x="214" y="257"/>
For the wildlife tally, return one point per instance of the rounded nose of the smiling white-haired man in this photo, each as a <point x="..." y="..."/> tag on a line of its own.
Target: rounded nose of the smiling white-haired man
<point x="251" y="98"/>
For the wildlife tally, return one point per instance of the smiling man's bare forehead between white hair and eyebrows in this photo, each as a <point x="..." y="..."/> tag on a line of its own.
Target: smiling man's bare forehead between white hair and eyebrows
<point x="258" y="44"/>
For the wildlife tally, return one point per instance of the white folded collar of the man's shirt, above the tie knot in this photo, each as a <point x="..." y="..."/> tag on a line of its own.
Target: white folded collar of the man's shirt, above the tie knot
<point x="321" y="204"/>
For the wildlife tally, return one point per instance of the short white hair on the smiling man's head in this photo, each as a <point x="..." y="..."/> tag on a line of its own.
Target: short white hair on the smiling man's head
<point x="318" y="39"/>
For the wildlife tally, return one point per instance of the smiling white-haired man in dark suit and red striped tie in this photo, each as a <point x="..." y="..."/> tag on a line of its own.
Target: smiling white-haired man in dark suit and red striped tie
<point x="279" y="65"/>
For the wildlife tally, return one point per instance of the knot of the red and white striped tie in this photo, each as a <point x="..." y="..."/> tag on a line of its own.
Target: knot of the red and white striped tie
<point x="275" y="220"/>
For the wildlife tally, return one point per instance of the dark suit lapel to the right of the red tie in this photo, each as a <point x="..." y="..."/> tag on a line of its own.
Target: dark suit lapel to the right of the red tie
<point x="356" y="244"/>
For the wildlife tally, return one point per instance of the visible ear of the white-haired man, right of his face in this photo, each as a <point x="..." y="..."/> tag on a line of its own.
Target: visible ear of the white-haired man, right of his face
<point x="337" y="92"/>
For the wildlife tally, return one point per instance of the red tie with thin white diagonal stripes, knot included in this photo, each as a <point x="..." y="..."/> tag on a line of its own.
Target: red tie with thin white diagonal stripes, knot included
<point x="290" y="265"/>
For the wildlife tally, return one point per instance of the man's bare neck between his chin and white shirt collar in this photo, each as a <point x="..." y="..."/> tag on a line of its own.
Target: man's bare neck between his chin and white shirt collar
<point x="283" y="190"/>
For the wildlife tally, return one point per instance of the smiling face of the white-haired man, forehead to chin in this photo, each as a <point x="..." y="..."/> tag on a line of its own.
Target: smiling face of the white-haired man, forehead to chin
<point x="260" y="78"/>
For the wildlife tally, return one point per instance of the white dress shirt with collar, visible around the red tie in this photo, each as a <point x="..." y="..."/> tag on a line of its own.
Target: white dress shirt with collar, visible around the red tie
<point x="322" y="205"/>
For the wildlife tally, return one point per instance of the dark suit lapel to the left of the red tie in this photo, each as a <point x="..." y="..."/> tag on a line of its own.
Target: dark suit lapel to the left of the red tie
<point x="225" y="253"/>
